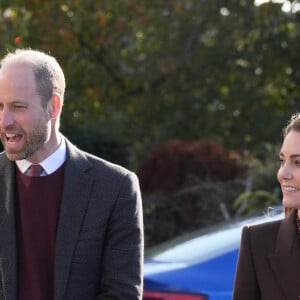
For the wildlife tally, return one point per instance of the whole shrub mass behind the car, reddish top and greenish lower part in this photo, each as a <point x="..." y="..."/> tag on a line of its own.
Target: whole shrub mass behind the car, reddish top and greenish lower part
<point x="187" y="185"/>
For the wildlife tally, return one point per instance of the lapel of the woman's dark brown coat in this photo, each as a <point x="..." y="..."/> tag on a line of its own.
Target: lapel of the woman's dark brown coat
<point x="285" y="261"/>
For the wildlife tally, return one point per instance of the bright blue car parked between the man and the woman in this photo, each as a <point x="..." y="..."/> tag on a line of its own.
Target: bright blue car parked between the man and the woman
<point x="200" y="265"/>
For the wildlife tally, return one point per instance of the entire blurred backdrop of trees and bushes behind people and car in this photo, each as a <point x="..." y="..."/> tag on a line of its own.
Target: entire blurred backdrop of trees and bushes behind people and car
<point x="190" y="94"/>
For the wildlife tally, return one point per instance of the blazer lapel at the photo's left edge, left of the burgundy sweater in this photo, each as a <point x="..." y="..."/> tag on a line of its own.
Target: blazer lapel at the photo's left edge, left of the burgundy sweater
<point x="8" y="252"/>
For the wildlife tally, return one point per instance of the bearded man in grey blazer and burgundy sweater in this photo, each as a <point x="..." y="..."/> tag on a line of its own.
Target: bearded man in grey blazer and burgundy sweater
<point x="75" y="230"/>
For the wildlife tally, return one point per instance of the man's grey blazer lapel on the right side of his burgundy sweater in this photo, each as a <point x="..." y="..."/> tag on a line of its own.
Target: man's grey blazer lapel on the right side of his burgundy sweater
<point x="76" y="194"/>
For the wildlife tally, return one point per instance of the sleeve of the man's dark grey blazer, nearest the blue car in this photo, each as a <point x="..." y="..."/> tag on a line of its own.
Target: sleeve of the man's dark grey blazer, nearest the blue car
<point x="122" y="262"/>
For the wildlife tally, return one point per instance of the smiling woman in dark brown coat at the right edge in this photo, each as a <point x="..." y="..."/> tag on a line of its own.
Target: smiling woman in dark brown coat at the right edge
<point x="269" y="258"/>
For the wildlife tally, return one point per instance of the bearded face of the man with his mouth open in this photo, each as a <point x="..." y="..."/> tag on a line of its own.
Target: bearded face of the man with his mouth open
<point x="24" y="123"/>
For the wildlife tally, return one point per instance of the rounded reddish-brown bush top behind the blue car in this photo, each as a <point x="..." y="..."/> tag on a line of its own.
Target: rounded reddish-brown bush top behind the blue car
<point x="178" y="163"/>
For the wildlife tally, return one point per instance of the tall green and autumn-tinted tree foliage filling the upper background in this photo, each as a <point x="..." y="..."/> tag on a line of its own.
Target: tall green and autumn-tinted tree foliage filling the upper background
<point x="149" y="71"/>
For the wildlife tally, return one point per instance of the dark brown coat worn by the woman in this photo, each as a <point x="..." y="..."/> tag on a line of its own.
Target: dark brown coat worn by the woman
<point x="269" y="261"/>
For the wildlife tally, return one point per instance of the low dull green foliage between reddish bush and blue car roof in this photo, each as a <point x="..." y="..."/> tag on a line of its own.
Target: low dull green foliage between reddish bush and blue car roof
<point x="166" y="215"/>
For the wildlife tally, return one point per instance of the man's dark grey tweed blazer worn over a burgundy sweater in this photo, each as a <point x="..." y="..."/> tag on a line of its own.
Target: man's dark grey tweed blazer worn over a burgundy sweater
<point x="99" y="249"/>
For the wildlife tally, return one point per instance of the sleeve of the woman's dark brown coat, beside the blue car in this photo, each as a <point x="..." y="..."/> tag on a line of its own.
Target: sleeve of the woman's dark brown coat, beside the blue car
<point x="245" y="284"/>
